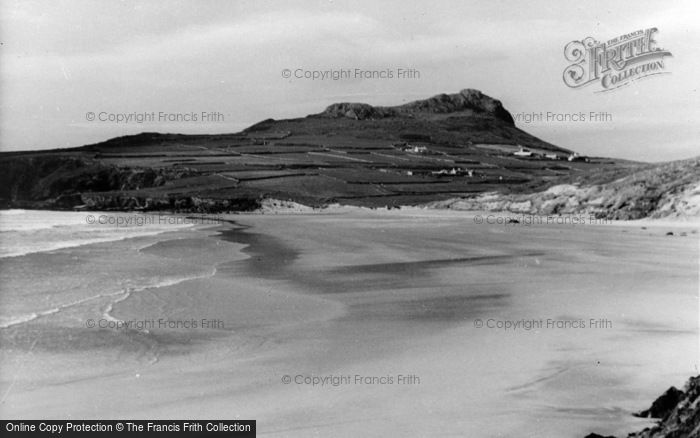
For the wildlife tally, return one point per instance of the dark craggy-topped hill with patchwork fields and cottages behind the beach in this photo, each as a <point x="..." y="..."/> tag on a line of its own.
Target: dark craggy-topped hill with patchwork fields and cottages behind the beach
<point x="458" y="150"/>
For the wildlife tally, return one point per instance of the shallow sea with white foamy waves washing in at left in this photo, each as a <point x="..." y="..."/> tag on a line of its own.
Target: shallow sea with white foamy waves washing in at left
<point x="69" y="266"/>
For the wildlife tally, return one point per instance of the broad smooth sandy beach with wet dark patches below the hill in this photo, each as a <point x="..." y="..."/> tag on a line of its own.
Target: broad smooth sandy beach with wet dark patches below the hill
<point x="408" y="322"/>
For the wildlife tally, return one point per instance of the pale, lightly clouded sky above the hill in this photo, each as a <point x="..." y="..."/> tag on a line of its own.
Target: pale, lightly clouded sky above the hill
<point x="71" y="72"/>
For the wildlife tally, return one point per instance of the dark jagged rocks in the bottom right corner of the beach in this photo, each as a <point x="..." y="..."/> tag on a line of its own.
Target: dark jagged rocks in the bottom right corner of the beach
<point x="678" y="414"/>
